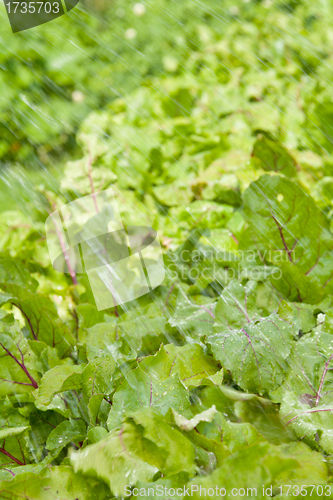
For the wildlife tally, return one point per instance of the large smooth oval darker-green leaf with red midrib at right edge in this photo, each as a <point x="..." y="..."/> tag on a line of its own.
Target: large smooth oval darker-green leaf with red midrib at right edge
<point x="292" y="233"/>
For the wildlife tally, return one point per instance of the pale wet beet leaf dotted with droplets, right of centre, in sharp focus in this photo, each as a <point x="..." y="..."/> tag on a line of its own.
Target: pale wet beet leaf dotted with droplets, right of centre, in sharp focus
<point x="256" y="353"/>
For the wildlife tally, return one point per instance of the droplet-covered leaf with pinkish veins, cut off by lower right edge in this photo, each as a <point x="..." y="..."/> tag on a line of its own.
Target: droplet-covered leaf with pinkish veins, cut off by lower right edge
<point x="306" y="394"/>
